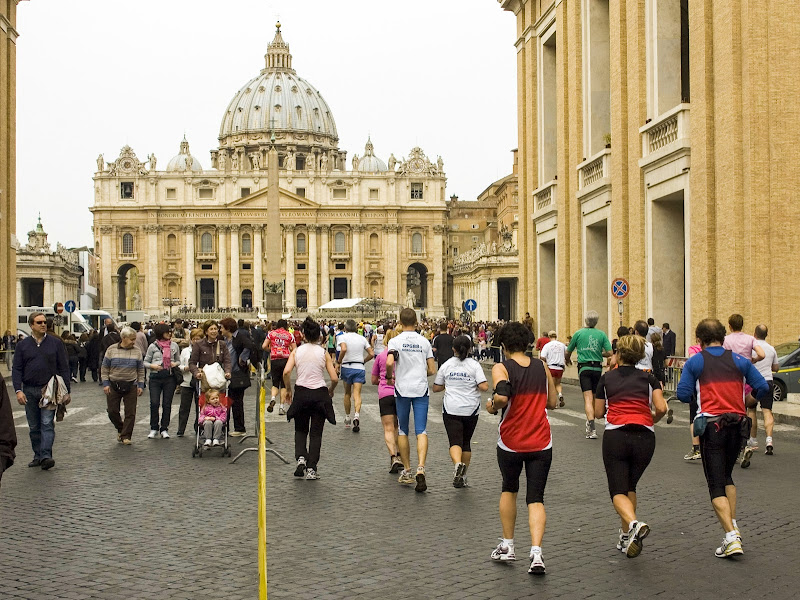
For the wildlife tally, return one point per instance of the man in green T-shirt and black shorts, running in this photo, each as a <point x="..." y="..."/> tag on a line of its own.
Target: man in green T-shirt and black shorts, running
<point x="592" y="345"/>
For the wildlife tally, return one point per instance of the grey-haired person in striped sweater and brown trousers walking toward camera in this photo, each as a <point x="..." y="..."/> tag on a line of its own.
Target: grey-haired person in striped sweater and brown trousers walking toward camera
<point x="122" y="374"/>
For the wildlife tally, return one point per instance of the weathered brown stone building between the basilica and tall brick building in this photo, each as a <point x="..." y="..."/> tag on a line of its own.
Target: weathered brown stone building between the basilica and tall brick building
<point x="483" y="262"/>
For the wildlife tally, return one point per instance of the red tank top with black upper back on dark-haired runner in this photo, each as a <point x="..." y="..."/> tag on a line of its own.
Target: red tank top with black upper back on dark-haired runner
<point x="524" y="426"/>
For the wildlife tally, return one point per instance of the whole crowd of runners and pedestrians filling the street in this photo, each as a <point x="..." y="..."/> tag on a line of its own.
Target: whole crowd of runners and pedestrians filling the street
<point x="621" y="381"/>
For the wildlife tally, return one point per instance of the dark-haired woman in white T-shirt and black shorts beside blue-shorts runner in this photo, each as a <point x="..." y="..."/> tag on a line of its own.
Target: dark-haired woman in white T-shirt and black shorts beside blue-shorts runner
<point x="462" y="379"/>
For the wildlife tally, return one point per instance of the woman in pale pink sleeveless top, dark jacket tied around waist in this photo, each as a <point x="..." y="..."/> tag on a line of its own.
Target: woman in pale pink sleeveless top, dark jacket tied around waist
<point x="312" y="398"/>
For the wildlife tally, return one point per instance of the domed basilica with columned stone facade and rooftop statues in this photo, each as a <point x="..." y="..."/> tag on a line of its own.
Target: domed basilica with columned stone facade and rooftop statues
<point x="363" y="227"/>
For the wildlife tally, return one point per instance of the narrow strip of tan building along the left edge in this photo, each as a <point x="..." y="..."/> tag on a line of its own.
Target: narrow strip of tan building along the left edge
<point x="8" y="161"/>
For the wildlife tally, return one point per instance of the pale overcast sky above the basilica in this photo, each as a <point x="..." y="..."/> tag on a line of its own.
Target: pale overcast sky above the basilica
<point x="94" y="75"/>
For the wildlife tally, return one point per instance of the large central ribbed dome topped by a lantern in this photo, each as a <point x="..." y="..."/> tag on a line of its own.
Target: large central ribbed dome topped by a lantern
<point x="278" y="102"/>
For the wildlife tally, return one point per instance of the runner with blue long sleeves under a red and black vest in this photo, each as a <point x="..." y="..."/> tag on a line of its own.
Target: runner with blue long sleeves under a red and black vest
<point x="718" y="375"/>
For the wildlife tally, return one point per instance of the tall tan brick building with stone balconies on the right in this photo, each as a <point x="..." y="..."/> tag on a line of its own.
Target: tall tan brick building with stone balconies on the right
<point x="658" y="143"/>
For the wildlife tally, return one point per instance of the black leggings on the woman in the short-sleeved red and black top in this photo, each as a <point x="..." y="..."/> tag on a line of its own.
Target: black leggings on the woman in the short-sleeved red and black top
<point x="626" y="453"/>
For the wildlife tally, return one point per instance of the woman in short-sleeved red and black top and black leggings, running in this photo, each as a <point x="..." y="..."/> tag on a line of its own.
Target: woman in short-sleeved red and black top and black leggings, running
<point x="627" y="397"/>
